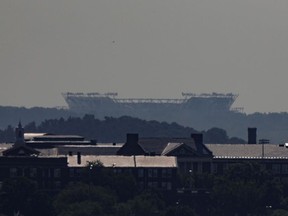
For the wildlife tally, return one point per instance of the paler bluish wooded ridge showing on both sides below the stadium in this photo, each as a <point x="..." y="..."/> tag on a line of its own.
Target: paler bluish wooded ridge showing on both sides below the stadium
<point x="272" y="126"/>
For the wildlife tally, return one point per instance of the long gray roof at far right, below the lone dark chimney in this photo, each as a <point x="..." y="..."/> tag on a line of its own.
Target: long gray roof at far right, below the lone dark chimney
<point x="248" y="151"/>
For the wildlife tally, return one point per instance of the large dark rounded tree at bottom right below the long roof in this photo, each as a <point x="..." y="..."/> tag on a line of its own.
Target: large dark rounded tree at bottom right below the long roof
<point x="245" y="189"/>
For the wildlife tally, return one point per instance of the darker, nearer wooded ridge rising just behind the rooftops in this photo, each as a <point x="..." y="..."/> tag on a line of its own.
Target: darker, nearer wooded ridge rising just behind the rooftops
<point x="115" y="129"/>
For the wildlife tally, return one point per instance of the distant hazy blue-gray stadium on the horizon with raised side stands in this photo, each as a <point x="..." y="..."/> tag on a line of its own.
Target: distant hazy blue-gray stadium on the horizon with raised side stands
<point x="108" y="104"/>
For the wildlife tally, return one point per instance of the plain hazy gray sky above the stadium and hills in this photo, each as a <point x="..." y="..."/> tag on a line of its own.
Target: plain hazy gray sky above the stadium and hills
<point x="144" y="48"/>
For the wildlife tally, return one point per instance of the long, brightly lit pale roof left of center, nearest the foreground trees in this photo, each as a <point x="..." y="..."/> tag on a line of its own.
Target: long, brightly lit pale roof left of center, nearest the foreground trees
<point x="126" y="161"/>
